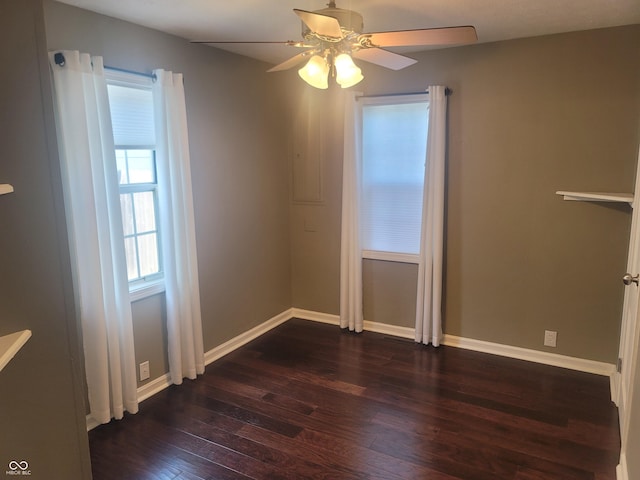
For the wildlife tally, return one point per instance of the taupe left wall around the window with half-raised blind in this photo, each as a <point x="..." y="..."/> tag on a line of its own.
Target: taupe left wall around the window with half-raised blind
<point x="237" y="140"/>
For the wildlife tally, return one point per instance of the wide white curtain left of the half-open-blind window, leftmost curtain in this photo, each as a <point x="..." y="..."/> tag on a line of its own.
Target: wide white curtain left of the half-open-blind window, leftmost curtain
<point x="94" y="221"/>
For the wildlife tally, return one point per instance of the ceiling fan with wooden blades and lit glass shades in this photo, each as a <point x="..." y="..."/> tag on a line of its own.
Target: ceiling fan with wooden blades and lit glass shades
<point x="334" y="36"/>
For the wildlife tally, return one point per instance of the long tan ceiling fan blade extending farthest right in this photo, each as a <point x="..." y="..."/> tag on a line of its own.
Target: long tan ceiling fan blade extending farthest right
<point x="428" y="36"/>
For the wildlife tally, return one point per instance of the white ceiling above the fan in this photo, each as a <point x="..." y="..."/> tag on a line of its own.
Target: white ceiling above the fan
<point x="259" y="20"/>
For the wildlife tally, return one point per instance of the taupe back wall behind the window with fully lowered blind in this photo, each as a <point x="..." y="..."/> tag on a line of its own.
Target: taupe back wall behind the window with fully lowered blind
<point x="526" y="118"/>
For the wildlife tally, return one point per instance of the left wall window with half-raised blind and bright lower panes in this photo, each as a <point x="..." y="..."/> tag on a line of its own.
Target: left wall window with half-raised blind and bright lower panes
<point x="131" y="105"/>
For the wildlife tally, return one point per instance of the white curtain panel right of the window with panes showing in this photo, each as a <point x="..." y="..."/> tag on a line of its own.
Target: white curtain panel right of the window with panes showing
<point x="184" y="323"/>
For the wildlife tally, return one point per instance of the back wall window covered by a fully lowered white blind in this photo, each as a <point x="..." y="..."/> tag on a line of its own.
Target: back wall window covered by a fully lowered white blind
<point x="394" y="144"/>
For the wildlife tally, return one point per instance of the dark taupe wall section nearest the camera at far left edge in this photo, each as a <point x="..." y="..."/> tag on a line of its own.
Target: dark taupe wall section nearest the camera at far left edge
<point x="41" y="414"/>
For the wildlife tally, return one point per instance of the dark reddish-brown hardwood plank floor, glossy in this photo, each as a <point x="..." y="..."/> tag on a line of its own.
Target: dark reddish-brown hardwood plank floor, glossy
<point x="308" y="401"/>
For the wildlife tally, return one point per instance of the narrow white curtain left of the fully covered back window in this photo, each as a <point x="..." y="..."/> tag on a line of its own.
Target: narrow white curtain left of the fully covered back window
<point x="350" y="251"/>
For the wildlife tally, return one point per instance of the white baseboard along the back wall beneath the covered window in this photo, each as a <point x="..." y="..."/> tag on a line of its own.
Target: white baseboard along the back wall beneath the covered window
<point x="546" y="358"/>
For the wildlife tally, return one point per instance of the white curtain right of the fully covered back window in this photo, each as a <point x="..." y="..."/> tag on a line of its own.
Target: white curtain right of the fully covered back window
<point x="429" y="295"/>
